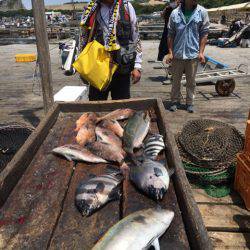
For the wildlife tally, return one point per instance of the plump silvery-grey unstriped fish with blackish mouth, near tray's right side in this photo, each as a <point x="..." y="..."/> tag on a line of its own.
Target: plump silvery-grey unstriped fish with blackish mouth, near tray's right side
<point x="151" y="177"/>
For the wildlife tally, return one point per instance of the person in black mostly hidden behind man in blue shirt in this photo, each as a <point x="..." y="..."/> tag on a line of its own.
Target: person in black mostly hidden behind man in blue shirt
<point x="163" y="47"/>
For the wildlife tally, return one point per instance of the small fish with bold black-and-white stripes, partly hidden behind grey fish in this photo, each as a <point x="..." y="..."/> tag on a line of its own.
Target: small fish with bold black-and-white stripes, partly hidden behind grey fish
<point x="153" y="146"/>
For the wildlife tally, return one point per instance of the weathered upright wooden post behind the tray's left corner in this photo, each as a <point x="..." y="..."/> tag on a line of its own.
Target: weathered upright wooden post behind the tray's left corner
<point x="43" y="52"/>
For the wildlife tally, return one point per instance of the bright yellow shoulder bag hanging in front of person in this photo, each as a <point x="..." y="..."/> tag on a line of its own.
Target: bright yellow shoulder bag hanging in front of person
<point x="95" y="65"/>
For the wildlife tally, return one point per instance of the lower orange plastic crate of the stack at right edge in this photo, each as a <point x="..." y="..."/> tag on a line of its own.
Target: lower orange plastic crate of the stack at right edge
<point x="242" y="178"/>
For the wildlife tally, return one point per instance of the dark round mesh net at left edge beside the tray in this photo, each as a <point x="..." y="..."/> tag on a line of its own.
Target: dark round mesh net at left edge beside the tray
<point x="12" y="137"/>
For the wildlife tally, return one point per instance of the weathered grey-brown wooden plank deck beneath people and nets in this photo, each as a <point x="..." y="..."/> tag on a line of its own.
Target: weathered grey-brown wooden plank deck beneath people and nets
<point x="226" y="219"/>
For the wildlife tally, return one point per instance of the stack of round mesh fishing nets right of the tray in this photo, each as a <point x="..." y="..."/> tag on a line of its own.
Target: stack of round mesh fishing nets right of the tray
<point x="208" y="149"/>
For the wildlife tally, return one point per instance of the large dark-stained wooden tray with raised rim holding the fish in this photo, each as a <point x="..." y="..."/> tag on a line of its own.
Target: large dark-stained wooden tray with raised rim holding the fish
<point x="37" y="189"/>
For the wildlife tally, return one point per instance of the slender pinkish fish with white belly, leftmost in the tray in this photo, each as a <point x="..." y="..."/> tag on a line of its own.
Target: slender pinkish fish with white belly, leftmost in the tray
<point x="74" y="152"/>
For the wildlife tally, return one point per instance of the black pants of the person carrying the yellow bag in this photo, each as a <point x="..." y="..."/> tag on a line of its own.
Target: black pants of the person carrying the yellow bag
<point x="119" y="88"/>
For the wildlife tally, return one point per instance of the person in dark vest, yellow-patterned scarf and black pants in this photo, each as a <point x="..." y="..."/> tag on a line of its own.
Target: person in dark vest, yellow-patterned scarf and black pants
<point x="115" y="27"/>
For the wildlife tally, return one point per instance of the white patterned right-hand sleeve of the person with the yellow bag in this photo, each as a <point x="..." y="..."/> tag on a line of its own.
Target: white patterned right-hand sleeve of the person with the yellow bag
<point x="135" y="36"/>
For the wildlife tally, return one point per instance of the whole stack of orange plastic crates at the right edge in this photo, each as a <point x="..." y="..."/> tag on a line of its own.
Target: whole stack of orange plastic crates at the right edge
<point x="242" y="178"/>
